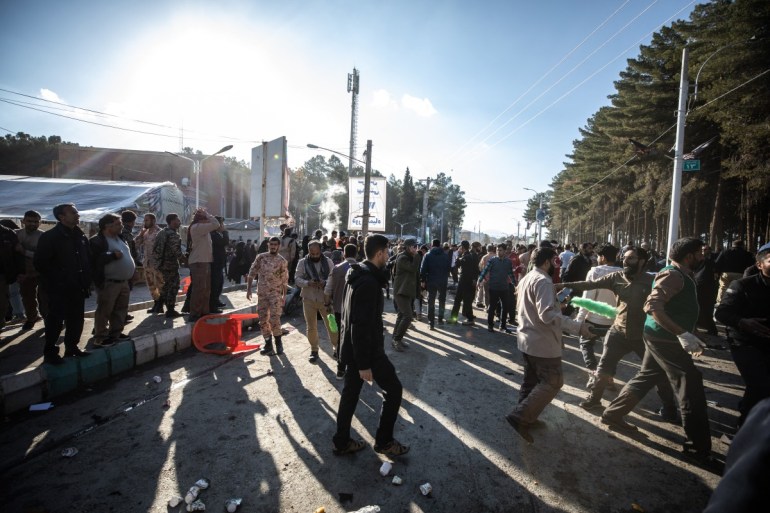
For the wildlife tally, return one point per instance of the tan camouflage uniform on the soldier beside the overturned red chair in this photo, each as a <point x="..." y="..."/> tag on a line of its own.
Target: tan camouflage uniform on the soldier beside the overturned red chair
<point x="273" y="273"/>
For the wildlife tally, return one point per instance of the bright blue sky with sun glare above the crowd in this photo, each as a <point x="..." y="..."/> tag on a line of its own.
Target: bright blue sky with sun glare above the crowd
<point x="436" y="79"/>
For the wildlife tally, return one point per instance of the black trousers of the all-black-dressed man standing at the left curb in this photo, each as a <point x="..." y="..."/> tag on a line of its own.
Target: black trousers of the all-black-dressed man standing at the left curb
<point x="64" y="307"/>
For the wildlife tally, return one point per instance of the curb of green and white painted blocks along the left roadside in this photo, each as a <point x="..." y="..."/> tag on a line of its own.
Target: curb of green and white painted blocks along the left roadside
<point x="37" y="384"/>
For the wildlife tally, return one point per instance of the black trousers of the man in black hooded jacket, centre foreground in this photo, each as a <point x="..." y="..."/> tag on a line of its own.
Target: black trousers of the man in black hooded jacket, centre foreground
<point x="384" y="375"/>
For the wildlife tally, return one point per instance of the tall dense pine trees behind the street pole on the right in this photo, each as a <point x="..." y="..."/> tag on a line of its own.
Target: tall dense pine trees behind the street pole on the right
<point x="618" y="176"/>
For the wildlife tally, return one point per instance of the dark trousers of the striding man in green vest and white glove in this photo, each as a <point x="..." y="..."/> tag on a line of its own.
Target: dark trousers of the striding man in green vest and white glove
<point x="669" y="359"/>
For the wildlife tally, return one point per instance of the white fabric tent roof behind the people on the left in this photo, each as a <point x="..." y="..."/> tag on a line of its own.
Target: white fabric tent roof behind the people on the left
<point x="92" y="198"/>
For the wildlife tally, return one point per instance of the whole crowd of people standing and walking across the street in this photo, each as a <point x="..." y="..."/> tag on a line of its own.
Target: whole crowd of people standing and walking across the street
<point x="665" y="309"/>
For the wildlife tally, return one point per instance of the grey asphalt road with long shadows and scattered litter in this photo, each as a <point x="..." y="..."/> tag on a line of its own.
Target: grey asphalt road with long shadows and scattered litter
<point x="267" y="438"/>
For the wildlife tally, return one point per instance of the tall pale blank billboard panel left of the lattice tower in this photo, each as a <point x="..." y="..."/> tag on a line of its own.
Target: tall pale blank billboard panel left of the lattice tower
<point x="269" y="180"/>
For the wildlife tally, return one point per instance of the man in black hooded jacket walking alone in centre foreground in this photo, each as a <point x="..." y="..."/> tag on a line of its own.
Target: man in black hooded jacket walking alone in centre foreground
<point x="363" y="351"/>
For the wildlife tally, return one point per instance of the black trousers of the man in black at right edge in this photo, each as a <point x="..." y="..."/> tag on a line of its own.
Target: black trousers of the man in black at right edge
<point x="753" y="363"/>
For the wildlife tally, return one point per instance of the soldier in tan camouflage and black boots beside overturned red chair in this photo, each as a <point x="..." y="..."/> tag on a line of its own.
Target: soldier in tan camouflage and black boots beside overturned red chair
<point x="272" y="271"/>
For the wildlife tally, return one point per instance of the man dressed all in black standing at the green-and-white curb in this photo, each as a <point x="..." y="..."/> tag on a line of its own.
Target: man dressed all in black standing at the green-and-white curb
<point x="63" y="261"/>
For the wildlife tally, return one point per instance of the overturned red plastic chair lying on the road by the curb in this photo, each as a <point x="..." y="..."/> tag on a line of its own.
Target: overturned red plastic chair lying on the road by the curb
<point x="221" y="334"/>
